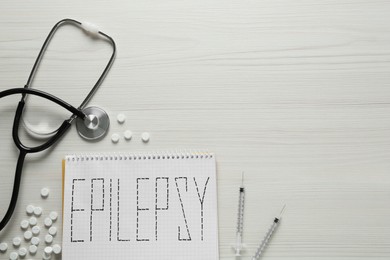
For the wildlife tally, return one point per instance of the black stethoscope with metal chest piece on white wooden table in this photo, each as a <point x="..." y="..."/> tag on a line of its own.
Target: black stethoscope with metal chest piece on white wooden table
<point x="92" y="123"/>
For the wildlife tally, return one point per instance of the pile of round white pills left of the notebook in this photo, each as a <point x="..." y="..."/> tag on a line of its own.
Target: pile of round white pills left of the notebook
<point x="28" y="243"/>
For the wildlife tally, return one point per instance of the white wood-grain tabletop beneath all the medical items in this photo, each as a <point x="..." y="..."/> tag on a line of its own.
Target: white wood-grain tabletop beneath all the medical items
<point x="295" y="93"/>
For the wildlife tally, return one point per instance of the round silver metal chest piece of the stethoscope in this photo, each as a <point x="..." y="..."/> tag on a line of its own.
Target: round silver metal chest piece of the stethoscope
<point x="95" y="125"/>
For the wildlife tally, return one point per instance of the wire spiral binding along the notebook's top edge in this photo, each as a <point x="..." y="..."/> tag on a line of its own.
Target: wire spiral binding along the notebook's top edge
<point x="166" y="155"/>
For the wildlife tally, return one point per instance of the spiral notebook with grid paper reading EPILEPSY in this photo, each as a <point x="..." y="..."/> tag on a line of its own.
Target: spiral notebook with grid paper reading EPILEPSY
<point x="140" y="206"/>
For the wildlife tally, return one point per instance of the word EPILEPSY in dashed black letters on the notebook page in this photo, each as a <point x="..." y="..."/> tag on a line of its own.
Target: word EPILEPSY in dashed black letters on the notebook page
<point x="139" y="209"/>
